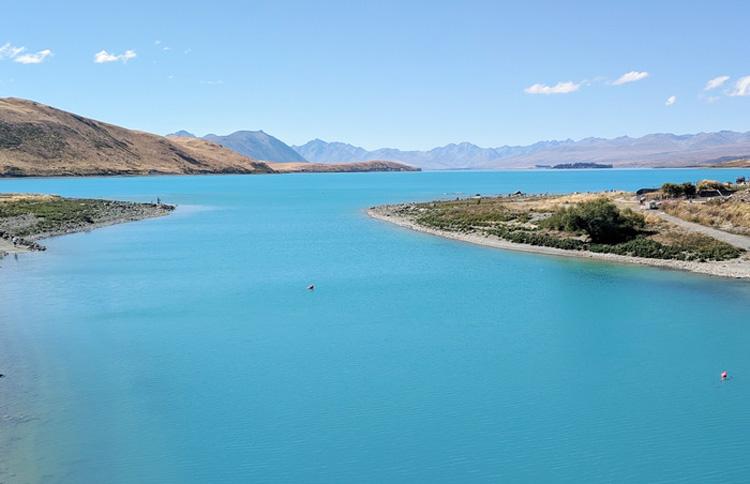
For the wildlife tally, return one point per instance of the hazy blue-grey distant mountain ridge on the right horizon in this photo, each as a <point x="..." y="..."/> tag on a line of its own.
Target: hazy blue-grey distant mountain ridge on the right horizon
<point x="661" y="149"/>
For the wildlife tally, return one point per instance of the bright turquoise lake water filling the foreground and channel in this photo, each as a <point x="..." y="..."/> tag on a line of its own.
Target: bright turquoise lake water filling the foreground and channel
<point x="187" y="349"/>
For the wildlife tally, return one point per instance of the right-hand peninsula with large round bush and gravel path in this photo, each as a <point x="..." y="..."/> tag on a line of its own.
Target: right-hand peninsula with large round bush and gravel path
<point x="656" y="229"/>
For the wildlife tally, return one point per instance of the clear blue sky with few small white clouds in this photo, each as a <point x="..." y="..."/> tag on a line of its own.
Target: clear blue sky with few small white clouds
<point x="402" y="74"/>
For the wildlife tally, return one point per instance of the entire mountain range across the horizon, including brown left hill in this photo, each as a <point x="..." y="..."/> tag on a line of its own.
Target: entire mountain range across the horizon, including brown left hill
<point x="39" y="140"/>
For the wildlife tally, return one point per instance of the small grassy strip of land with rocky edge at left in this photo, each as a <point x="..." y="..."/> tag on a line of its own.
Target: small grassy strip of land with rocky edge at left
<point x="26" y="218"/>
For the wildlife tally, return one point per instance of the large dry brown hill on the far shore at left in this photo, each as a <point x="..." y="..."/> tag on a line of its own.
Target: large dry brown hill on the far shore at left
<point x="38" y="140"/>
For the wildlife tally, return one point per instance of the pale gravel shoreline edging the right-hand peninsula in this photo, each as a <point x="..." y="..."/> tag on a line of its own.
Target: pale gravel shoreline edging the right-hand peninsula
<point x="735" y="269"/>
